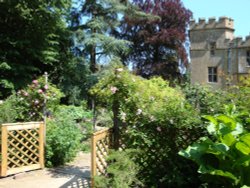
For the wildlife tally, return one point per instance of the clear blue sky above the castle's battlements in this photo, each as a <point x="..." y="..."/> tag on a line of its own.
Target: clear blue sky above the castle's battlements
<point x="239" y="10"/>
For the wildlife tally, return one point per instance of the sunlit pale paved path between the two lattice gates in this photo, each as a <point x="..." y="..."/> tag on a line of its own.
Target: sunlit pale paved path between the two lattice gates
<point x="72" y="175"/>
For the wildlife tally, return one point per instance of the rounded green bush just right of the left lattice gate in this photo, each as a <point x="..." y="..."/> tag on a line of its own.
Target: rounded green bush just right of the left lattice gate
<point x="63" y="139"/>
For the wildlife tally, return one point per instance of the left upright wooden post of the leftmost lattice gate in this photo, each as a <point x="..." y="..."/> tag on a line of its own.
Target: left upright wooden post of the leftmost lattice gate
<point x="4" y="150"/>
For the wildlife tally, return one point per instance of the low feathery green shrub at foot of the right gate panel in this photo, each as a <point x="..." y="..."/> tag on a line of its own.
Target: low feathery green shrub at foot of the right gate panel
<point x="121" y="172"/>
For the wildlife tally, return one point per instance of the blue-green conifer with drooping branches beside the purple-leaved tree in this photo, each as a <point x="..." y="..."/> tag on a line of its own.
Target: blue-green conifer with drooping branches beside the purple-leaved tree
<point x="97" y="20"/>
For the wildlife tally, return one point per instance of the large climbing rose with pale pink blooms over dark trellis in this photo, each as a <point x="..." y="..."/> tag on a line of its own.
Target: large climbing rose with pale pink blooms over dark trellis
<point x="156" y="120"/>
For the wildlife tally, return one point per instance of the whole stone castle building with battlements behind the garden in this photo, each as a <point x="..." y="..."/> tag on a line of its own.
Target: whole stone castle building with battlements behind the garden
<point x="218" y="58"/>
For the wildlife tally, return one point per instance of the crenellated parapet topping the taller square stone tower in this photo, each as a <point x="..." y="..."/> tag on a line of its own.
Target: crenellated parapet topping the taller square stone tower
<point x="212" y="23"/>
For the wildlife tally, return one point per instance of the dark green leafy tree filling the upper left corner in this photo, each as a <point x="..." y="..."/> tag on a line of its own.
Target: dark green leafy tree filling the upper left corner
<point x="34" y="39"/>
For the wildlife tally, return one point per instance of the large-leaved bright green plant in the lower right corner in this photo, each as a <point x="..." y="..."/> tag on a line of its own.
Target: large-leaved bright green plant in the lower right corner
<point x="226" y="154"/>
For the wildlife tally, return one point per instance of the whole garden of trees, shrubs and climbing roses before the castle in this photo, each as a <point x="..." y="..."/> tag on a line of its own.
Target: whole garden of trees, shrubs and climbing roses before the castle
<point x="108" y="65"/>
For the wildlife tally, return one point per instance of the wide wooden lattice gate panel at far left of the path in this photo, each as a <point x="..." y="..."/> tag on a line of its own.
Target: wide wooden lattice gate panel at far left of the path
<point x="22" y="147"/>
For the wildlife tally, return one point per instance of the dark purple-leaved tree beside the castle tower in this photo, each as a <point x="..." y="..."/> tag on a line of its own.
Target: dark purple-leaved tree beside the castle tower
<point x="157" y="43"/>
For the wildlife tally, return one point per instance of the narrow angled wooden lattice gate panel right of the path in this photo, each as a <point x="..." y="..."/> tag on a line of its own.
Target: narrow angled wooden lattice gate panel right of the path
<point x="101" y="144"/>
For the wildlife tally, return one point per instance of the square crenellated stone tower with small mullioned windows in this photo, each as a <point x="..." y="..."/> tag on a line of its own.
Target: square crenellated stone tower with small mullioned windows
<point x="211" y="59"/>
